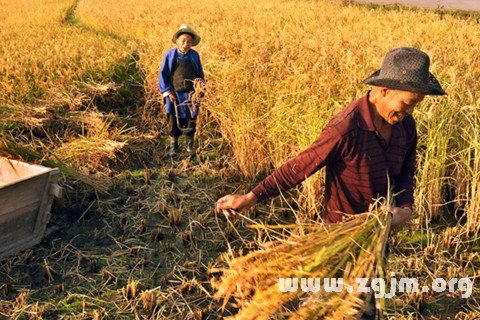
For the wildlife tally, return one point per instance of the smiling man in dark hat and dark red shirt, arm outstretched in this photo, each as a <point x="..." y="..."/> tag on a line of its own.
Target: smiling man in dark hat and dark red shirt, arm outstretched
<point x="369" y="143"/>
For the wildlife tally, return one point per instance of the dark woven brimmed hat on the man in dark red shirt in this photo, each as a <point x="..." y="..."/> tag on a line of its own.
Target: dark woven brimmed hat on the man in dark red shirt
<point x="406" y="69"/>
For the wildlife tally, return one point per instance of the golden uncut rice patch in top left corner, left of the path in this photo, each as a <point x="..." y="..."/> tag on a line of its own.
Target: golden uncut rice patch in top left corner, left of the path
<point x="40" y="54"/>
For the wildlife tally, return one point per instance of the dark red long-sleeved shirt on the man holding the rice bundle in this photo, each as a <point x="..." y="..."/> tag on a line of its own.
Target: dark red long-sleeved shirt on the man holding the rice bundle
<point x="357" y="161"/>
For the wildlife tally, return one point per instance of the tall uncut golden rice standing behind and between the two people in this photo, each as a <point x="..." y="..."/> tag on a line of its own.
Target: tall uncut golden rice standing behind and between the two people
<point x="277" y="71"/>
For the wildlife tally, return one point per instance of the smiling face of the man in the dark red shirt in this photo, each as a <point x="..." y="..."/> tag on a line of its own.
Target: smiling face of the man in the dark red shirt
<point x="398" y="104"/>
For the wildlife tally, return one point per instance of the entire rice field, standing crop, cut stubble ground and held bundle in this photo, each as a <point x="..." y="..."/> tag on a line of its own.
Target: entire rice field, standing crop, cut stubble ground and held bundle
<point x="135" y="234"/>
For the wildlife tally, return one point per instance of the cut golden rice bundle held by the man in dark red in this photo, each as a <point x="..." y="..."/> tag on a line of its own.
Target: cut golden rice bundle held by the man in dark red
<point x="348" y="250"/>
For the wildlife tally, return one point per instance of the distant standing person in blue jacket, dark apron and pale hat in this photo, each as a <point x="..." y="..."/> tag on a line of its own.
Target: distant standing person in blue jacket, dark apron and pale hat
<point x="180" y="67"/>
